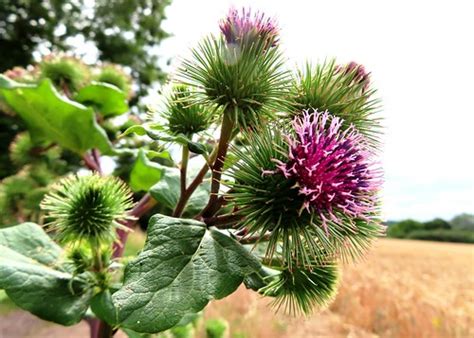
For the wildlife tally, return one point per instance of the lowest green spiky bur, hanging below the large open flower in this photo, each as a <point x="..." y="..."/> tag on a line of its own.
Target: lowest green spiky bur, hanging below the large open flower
<point x="303" y="290"/>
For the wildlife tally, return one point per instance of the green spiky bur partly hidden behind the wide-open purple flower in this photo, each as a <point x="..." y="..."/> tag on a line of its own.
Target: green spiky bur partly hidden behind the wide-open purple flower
<point x="342" y="90"/>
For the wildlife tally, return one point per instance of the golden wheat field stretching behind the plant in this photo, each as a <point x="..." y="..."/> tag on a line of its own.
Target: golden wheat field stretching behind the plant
<point x="403" y="289"/>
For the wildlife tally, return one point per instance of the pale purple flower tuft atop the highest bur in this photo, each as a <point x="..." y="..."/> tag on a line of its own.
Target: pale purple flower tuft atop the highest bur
<point x="242" y="27"/>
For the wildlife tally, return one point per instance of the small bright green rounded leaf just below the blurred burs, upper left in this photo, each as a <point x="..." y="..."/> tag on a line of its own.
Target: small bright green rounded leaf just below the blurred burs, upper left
<point x="108" y="99"/>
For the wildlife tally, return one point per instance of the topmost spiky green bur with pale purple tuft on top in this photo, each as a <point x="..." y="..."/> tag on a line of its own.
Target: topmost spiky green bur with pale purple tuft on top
<point x="248" y="80"/>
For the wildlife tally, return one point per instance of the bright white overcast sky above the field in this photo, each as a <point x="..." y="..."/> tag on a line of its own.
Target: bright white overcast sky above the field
<point x="421" y="57"/>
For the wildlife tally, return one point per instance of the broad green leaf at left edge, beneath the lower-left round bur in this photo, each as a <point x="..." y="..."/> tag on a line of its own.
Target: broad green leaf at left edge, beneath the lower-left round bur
<point x="33" y="279"/>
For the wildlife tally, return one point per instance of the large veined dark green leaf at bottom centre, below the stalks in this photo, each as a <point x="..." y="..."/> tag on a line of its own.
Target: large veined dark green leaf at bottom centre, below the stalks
<point x="181" y="268"/>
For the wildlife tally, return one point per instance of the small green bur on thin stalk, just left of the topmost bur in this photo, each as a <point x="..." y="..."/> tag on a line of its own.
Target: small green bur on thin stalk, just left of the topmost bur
<point x="182" y="115"/>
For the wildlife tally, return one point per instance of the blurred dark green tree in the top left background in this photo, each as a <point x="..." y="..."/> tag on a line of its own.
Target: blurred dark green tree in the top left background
<point x="124" y="32"/>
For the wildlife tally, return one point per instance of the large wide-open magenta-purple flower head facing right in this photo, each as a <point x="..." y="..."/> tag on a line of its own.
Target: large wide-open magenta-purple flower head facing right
<point x="333" y="169"/>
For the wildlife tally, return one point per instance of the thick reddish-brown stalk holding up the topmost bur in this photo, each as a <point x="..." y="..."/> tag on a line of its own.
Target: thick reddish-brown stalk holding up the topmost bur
<point x="226" y="136"/>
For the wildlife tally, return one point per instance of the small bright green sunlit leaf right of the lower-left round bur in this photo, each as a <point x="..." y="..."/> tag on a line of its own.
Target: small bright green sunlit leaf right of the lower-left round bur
<point x="145" y="173"/>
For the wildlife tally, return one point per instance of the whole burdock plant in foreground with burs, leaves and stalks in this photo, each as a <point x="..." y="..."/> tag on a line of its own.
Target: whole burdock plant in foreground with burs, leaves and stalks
<point x="285" y="193"/>
